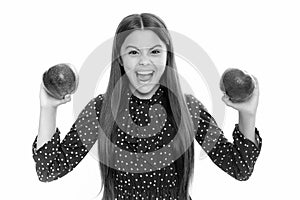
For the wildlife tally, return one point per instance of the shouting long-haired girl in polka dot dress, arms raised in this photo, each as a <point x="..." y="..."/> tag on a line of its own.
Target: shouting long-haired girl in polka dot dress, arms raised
<point x="144" y="125"/>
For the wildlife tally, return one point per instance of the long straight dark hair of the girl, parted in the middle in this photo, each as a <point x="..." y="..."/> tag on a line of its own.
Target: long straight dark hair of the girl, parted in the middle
<point x="118" y="82"/>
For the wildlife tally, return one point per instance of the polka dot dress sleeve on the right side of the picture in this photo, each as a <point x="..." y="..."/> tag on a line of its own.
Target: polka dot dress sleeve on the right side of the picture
<point x="238" y="158"/>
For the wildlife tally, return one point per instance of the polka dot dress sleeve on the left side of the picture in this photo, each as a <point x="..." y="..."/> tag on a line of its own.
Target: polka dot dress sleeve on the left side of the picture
<point x="55" y="159"/>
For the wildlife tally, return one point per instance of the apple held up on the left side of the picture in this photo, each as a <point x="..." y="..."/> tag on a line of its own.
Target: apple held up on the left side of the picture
<point x="60" y="80"/>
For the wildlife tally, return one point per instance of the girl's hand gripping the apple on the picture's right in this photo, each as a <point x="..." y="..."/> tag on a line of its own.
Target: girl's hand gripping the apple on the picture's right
<point x="248" y="107"/>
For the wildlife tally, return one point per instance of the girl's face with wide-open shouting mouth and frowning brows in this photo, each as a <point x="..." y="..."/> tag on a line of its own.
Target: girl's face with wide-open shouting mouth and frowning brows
<point x="144" y="58"/>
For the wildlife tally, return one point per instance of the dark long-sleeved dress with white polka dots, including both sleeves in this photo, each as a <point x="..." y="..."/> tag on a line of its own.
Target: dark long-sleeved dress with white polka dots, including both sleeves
<point x="145" y="166"/>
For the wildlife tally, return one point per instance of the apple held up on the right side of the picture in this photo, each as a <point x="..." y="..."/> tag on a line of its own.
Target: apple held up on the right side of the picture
<point x="237" y="84"/>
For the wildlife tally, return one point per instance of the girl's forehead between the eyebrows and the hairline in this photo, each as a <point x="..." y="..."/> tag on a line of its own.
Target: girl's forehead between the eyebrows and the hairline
<point x="142" y="39"/>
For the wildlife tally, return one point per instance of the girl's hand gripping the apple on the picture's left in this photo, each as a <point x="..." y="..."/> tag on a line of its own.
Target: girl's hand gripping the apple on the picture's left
<point x="47" y="101"/>
